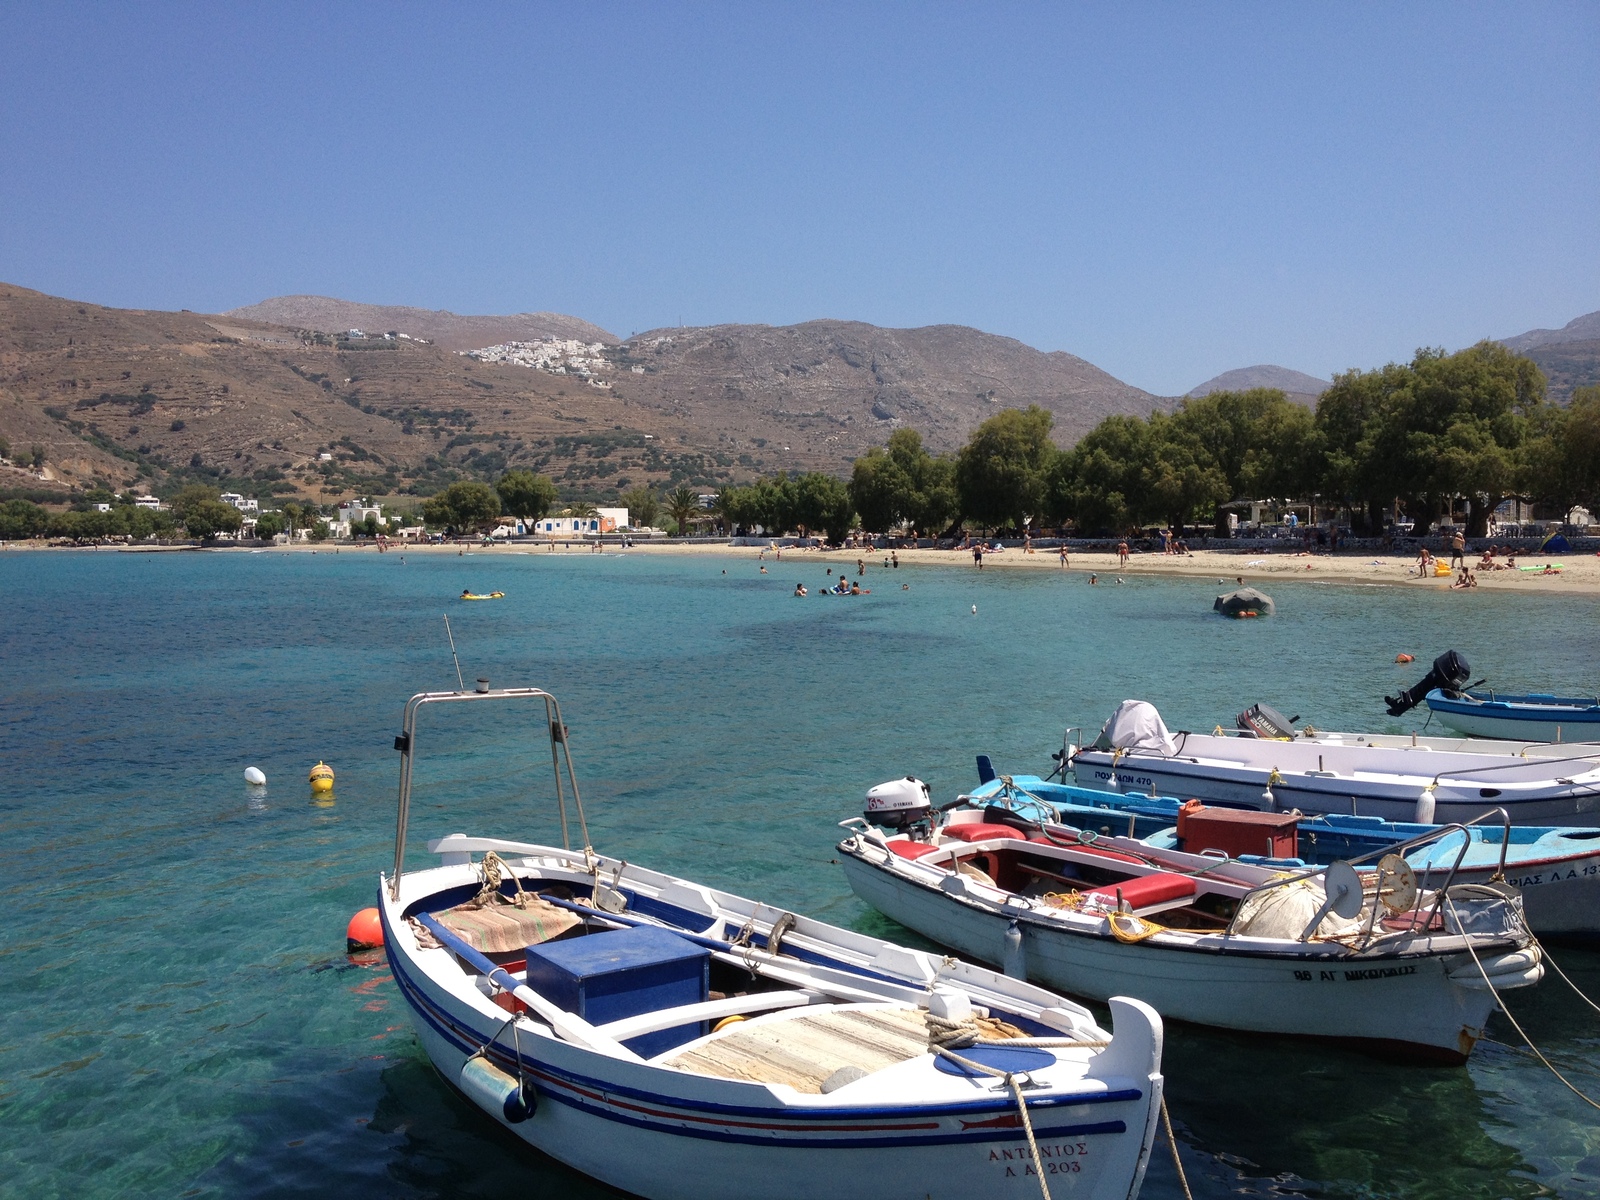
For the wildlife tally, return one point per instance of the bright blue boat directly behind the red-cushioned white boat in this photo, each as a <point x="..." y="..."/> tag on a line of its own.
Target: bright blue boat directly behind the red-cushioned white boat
<point x="1558" y="868"/>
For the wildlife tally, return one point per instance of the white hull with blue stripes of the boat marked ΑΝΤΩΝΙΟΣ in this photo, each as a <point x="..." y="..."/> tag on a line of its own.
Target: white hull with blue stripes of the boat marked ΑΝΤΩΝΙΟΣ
<point x="706" y="1140"/>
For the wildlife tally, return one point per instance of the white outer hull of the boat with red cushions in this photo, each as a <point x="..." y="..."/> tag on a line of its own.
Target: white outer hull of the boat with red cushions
<point x="1409" y="1004"/>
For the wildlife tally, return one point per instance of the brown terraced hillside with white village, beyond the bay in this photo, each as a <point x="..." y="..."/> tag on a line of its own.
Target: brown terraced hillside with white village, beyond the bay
<point x="156" y="399"/>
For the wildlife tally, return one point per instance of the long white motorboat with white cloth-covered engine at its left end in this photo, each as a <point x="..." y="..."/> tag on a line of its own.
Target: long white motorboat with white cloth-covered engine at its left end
<point x="1137" y="753"/>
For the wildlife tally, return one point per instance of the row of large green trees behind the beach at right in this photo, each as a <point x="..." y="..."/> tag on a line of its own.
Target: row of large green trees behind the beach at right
<point x="1434" y="436"/>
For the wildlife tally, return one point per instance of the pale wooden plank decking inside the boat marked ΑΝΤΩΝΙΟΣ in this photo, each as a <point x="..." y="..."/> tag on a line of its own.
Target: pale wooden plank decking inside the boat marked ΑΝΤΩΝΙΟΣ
<point x="802" y="1050"/>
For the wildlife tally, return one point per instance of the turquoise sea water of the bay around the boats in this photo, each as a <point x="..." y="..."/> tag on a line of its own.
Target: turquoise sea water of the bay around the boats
<point x="177" y="1012"/>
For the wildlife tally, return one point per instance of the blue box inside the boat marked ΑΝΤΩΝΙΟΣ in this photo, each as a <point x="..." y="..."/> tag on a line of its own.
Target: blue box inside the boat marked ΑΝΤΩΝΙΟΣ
<point x="622" y="974"/>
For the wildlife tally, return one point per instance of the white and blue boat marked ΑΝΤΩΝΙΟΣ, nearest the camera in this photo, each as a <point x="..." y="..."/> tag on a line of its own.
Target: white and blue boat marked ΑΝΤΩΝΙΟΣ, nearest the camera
<point x="676" y="1041"/>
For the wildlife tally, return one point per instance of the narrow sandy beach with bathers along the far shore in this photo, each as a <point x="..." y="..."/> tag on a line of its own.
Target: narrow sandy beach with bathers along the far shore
<point x="1577" y="574"/>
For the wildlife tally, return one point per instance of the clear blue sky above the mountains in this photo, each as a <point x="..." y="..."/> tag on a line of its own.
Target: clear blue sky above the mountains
<point x="1169" y="191"/>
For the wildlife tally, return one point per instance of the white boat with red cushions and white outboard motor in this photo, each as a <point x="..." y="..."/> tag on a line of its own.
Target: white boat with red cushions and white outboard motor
<point x="1382" y="962"/>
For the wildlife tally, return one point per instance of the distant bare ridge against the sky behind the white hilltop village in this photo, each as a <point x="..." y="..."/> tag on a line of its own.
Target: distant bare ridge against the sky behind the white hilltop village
<point x="447" y="330"/>
